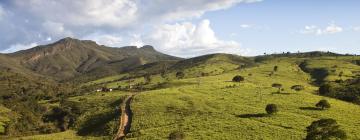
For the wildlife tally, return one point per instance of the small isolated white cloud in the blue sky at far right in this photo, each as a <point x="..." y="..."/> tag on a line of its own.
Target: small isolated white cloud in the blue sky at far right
<point x="330" y="29"/>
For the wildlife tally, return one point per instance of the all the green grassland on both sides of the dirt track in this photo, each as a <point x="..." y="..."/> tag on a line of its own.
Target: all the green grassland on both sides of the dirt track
<point x="214" y="107"/>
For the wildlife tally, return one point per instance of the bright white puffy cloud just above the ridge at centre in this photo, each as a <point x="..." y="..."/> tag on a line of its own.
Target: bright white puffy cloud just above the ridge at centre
<point x="186" y="39"/>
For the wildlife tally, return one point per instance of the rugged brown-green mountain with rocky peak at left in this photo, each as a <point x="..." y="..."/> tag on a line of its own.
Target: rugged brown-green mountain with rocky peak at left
<point x="69" y="58"/>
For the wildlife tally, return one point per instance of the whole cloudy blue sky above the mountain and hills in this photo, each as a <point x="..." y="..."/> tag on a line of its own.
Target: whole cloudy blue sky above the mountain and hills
<point x="186" y="28"/>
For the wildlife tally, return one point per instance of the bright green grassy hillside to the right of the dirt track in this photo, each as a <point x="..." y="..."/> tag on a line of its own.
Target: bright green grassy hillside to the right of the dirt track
<point x="212" y="111"/>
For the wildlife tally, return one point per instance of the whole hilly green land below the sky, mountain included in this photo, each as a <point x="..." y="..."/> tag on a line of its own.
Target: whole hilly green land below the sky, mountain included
<point x="164" y="97"/>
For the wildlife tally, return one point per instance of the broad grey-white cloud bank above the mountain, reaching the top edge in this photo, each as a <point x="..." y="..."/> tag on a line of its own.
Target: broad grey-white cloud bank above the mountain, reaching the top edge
<point x="37" y="20"/>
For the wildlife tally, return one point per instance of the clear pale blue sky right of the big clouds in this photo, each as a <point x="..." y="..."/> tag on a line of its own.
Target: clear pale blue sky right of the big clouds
<point x="277" y="23"/>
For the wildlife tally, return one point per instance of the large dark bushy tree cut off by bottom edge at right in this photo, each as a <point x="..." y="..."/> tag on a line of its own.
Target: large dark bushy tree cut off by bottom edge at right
<point x="324" y="129"/>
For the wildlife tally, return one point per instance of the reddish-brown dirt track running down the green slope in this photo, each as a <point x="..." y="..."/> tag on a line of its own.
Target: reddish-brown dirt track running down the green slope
<point x="125" y="119"/>
